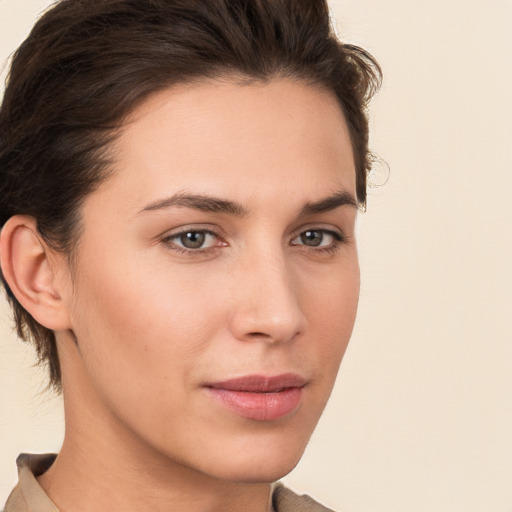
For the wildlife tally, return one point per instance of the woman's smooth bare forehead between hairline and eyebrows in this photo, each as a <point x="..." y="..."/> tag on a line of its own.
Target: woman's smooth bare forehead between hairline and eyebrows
<point x="223" y="138"/>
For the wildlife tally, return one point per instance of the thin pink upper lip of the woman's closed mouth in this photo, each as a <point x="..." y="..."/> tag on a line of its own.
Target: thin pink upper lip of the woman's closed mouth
<point x="260" y="383"/>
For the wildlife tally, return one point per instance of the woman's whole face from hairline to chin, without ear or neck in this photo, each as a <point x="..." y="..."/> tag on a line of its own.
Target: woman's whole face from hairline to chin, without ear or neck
<point x="217" y="278"/>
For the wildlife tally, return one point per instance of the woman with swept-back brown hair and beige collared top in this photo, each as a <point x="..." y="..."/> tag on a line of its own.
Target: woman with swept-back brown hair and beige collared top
<point x="180" y="182"/>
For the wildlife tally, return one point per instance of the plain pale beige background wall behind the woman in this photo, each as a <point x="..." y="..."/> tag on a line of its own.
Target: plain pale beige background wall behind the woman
<point x="421" y="419"/>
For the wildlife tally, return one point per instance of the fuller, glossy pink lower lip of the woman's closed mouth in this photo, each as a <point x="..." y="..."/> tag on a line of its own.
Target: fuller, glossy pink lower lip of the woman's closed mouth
<point x="259" y="406"/>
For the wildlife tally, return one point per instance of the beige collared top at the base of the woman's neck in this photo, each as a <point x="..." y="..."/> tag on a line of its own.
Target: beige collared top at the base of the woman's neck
<point x="28" y="496"/>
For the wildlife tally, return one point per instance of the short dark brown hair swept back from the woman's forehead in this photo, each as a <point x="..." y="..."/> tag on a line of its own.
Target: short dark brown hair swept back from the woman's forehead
<point x="88" y="63"/>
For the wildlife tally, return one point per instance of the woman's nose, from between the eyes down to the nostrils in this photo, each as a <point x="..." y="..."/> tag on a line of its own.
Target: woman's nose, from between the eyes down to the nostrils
<point x="267" y="303"/>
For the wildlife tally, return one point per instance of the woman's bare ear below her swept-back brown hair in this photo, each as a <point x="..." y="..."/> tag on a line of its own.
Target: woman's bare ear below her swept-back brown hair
<point x="35" y="274"/>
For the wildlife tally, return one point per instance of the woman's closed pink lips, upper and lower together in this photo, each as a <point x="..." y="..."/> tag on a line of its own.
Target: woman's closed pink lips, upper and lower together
<point x="259" y="397"/>
